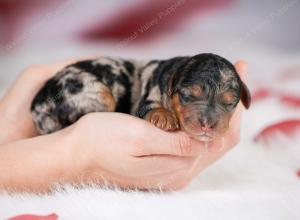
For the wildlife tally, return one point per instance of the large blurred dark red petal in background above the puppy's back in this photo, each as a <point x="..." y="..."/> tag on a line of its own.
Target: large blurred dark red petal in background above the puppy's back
<point x="158" y="16"/>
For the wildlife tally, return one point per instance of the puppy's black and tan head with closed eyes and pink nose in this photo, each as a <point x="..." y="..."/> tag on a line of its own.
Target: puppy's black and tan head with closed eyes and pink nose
<point x="205" y="95"/>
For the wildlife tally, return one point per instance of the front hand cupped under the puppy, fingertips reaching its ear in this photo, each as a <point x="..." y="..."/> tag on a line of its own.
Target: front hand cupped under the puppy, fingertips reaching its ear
<point x="132" y="153"/>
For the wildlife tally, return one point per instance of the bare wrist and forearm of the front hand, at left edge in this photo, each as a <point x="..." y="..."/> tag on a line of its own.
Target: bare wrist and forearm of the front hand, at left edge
<point x="39" y="163"/>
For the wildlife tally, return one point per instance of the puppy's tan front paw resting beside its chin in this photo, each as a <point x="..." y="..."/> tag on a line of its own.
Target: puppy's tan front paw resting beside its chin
<point x="163" y="119"/>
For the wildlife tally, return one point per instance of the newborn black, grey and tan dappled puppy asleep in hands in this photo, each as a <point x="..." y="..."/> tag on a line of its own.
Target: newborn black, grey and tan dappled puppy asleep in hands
<point x="197" y="94"/>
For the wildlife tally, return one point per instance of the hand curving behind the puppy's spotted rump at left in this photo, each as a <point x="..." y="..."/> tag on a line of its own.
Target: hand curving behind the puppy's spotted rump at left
<point x="16" y="121"/>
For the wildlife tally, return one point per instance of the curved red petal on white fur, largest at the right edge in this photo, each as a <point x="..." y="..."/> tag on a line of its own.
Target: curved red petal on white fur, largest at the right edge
<point x="288" y="127"/>
